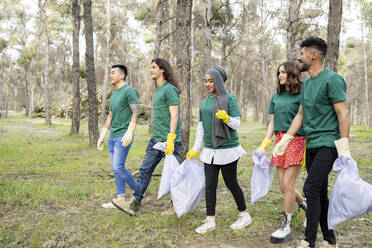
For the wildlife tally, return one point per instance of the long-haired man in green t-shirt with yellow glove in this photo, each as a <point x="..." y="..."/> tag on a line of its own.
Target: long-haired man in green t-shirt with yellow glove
<point x="166" y="129"/>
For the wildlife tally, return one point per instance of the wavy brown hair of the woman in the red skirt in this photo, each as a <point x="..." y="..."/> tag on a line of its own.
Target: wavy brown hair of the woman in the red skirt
<point x="294" y="78"/>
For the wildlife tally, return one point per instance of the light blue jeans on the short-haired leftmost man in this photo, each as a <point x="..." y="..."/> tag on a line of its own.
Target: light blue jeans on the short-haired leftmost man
<point x="118" y="156"/>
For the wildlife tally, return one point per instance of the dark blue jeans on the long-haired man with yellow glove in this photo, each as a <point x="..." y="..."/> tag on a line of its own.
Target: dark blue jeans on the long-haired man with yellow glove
<point x="152" y="159"/>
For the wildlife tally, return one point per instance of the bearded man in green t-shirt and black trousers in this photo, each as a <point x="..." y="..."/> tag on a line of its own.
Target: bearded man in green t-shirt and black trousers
<point x="324" y="116"/>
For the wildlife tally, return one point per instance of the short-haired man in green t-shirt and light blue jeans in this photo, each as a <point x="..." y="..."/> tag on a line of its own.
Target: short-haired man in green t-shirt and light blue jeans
<point x="121" y="122"/>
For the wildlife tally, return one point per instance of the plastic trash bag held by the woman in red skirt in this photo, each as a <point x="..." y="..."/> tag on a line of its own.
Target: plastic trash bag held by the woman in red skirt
<point x="262" y="176"/>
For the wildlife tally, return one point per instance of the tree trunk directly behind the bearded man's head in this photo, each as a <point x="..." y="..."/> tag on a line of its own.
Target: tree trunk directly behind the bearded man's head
<point x="333" y="37"/>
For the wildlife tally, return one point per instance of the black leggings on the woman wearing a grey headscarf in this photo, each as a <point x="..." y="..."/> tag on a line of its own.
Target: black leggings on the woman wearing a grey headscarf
<point x="231" y="181"/>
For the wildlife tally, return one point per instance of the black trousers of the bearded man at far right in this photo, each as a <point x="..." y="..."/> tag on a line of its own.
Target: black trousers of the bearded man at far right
<point x="319" y="162"/>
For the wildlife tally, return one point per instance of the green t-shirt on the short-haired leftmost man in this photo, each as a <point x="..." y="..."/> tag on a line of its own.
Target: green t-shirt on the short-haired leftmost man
<point x="121" y="112"/>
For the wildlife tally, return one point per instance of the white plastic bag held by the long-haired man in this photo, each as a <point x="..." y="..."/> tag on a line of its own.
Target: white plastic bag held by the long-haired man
<point x="170" y="165"/>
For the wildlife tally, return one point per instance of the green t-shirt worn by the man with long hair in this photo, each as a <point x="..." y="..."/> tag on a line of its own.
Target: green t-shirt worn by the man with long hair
<point x="165" y="96"/>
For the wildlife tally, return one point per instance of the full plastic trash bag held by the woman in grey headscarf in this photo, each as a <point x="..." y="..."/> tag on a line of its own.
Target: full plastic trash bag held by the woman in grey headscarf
<point x="187" y="186"/>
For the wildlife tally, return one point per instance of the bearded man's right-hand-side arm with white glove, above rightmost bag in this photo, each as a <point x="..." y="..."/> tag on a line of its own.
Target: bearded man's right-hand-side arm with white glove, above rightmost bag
<point x="342" y="144"/>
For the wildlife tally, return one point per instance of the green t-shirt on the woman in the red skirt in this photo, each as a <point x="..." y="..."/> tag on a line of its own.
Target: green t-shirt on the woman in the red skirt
<point x="284" y="107"/>
